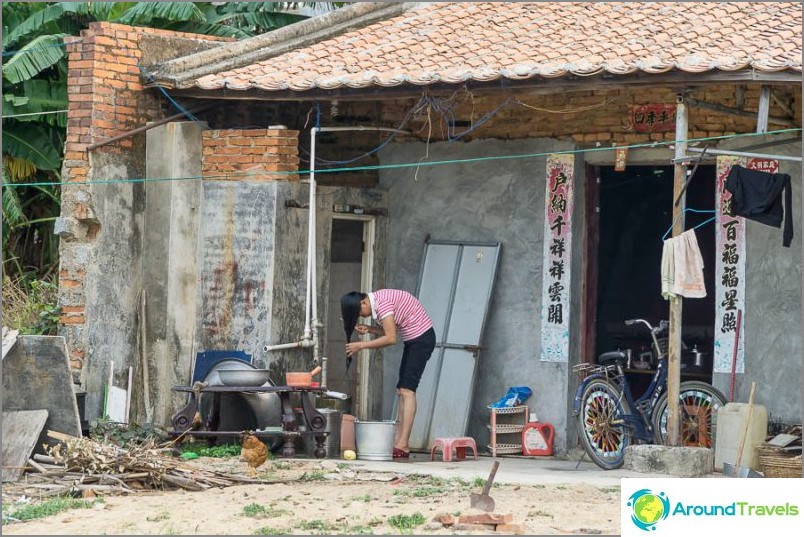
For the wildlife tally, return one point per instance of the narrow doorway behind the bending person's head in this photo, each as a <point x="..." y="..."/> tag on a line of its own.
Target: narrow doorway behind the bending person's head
<point x="350" y="269"/>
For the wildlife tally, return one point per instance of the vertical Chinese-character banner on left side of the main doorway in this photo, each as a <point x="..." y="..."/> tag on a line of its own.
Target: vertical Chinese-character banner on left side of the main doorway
<point x="557" y="253"/>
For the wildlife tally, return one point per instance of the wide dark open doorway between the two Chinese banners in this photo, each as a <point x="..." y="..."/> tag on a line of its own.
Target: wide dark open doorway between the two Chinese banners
<point x="634" y="214"/>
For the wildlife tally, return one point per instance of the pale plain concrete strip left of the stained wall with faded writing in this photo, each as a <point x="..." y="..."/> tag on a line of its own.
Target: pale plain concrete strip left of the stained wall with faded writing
<point x="170" y="243"/>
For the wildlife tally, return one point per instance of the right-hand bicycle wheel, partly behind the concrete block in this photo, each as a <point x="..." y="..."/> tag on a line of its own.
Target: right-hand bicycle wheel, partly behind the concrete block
<point x="698" y="404"/>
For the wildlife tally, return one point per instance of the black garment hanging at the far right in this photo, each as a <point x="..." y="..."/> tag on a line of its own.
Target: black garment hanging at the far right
<point x="758" y="196"/>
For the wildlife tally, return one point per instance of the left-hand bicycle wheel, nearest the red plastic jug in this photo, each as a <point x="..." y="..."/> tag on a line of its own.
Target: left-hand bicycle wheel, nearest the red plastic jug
<point x="603" y="434"/>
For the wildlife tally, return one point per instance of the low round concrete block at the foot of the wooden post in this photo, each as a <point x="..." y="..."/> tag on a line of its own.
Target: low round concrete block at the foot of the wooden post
<point x="677" y="461"/>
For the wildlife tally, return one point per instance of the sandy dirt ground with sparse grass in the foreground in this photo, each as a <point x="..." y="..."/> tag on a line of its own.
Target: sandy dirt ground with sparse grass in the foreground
<point x="308" y="497"/>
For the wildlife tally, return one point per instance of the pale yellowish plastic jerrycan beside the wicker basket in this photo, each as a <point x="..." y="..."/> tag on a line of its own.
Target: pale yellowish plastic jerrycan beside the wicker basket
<point x="731" y="420"/>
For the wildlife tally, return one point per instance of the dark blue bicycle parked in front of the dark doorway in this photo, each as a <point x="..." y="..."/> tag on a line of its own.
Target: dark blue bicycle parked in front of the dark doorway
<point x="610" y="419"/>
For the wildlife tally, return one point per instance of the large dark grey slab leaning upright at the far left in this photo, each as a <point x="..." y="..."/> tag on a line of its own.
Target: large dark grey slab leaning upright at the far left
<point x="36" y="375"/>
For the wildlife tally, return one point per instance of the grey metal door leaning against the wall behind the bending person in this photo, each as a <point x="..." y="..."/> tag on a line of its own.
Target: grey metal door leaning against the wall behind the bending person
<point x="455" y="285"/>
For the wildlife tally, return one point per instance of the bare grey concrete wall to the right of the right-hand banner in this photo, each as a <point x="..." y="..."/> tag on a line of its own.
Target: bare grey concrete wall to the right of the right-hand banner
<point x="773" y="309"/>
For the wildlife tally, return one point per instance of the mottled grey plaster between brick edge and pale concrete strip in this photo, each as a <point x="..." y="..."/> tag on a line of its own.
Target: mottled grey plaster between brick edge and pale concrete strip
<point x="113" y="280"/>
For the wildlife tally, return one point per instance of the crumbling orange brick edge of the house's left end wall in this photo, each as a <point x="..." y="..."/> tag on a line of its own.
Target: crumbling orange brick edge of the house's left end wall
<point x="106" y="98"/>
